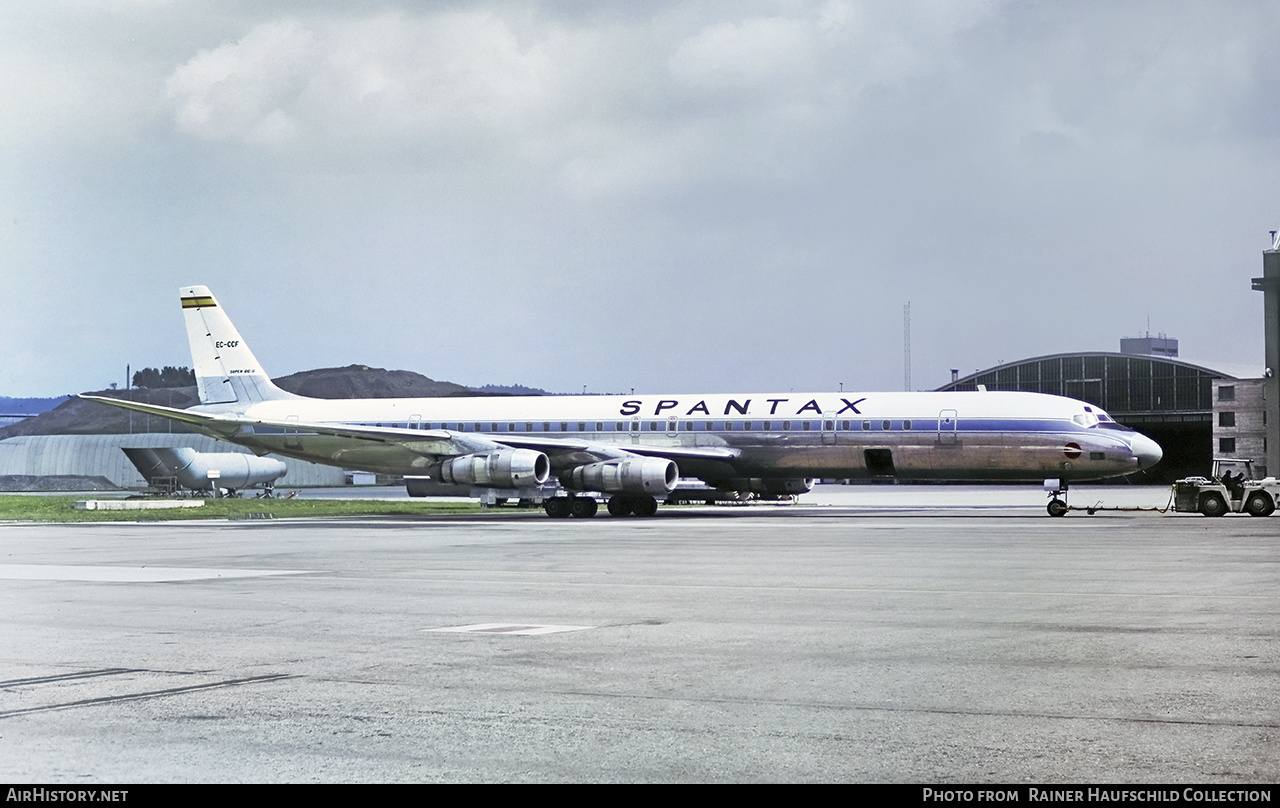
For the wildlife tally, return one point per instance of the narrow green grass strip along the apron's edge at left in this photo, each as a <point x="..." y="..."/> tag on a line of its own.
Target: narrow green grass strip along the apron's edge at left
<point x="60" y="509"/>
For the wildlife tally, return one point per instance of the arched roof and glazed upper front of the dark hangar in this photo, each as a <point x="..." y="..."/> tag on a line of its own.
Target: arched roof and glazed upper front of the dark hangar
<point x="1133" y="390"/>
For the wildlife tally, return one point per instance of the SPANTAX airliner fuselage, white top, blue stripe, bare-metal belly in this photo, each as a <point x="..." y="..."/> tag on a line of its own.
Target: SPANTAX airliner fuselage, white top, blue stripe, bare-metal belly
<point x="990" y="436"/>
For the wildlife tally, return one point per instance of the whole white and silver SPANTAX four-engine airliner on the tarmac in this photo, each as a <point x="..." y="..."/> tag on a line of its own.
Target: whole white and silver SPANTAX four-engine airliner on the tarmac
<point x="633" y="450"/>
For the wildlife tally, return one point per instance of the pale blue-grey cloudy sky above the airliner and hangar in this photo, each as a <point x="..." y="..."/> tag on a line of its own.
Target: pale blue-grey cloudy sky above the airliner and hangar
<point x="659" y="197"/>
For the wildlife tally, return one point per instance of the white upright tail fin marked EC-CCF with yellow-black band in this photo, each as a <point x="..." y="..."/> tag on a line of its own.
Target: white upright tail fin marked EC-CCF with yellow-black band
<point x="227" y="372"/>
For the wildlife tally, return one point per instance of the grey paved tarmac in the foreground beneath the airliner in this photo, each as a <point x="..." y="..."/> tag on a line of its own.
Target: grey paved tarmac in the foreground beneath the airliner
<point x="902" y="634"/>
